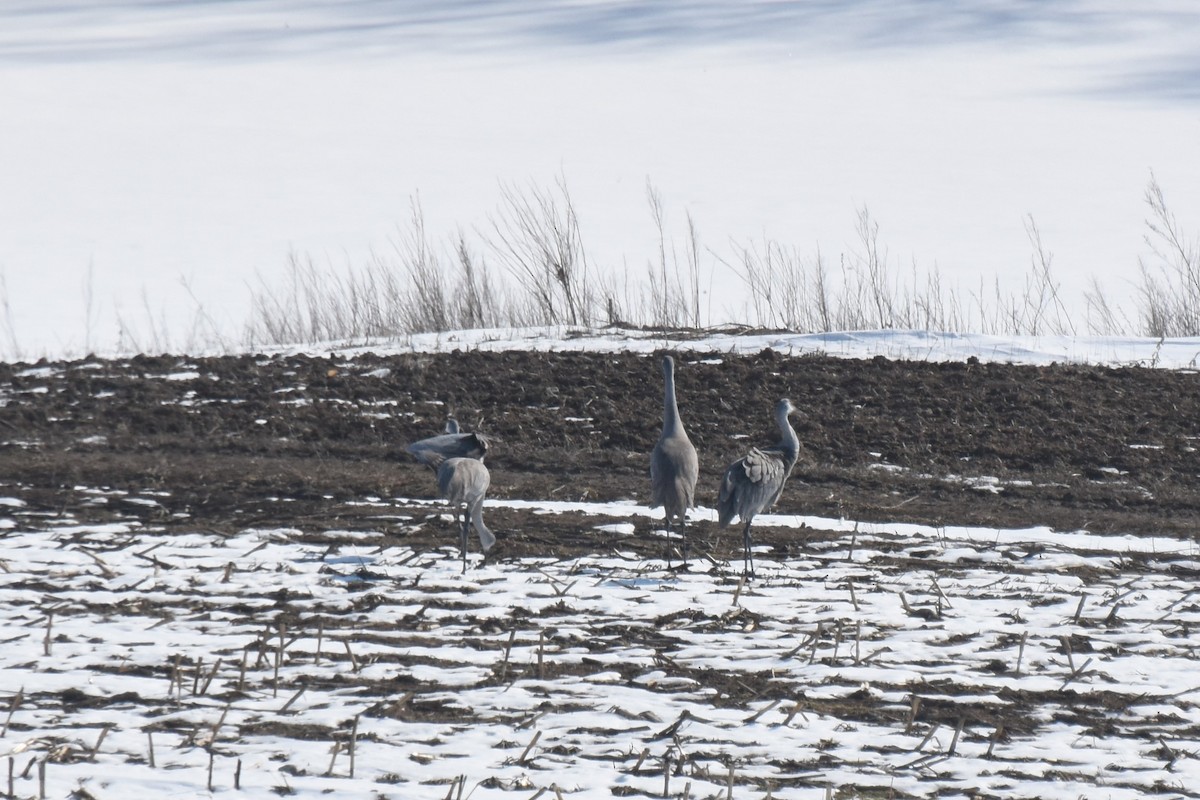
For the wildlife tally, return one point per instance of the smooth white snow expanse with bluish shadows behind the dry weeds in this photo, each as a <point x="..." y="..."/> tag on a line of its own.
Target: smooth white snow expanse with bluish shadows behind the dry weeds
<point x="155" y="158"/>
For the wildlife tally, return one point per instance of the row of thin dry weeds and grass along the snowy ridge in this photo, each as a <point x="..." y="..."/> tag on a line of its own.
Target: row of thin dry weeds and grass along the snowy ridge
<point x="530" y="267"/>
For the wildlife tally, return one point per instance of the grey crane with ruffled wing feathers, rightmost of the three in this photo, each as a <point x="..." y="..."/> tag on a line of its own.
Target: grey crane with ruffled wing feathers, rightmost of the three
<point x="754" y="483"/>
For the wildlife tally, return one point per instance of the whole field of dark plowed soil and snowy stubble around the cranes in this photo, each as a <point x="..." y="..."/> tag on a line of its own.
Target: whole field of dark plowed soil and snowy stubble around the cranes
<point x="233" y="560"/>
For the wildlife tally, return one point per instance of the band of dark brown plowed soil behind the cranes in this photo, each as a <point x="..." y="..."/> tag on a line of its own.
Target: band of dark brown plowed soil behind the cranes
<point x="982" y="444"/>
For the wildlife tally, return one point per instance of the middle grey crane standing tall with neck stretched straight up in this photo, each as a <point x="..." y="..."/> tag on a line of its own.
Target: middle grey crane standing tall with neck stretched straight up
<point x="674" y="464"/>
